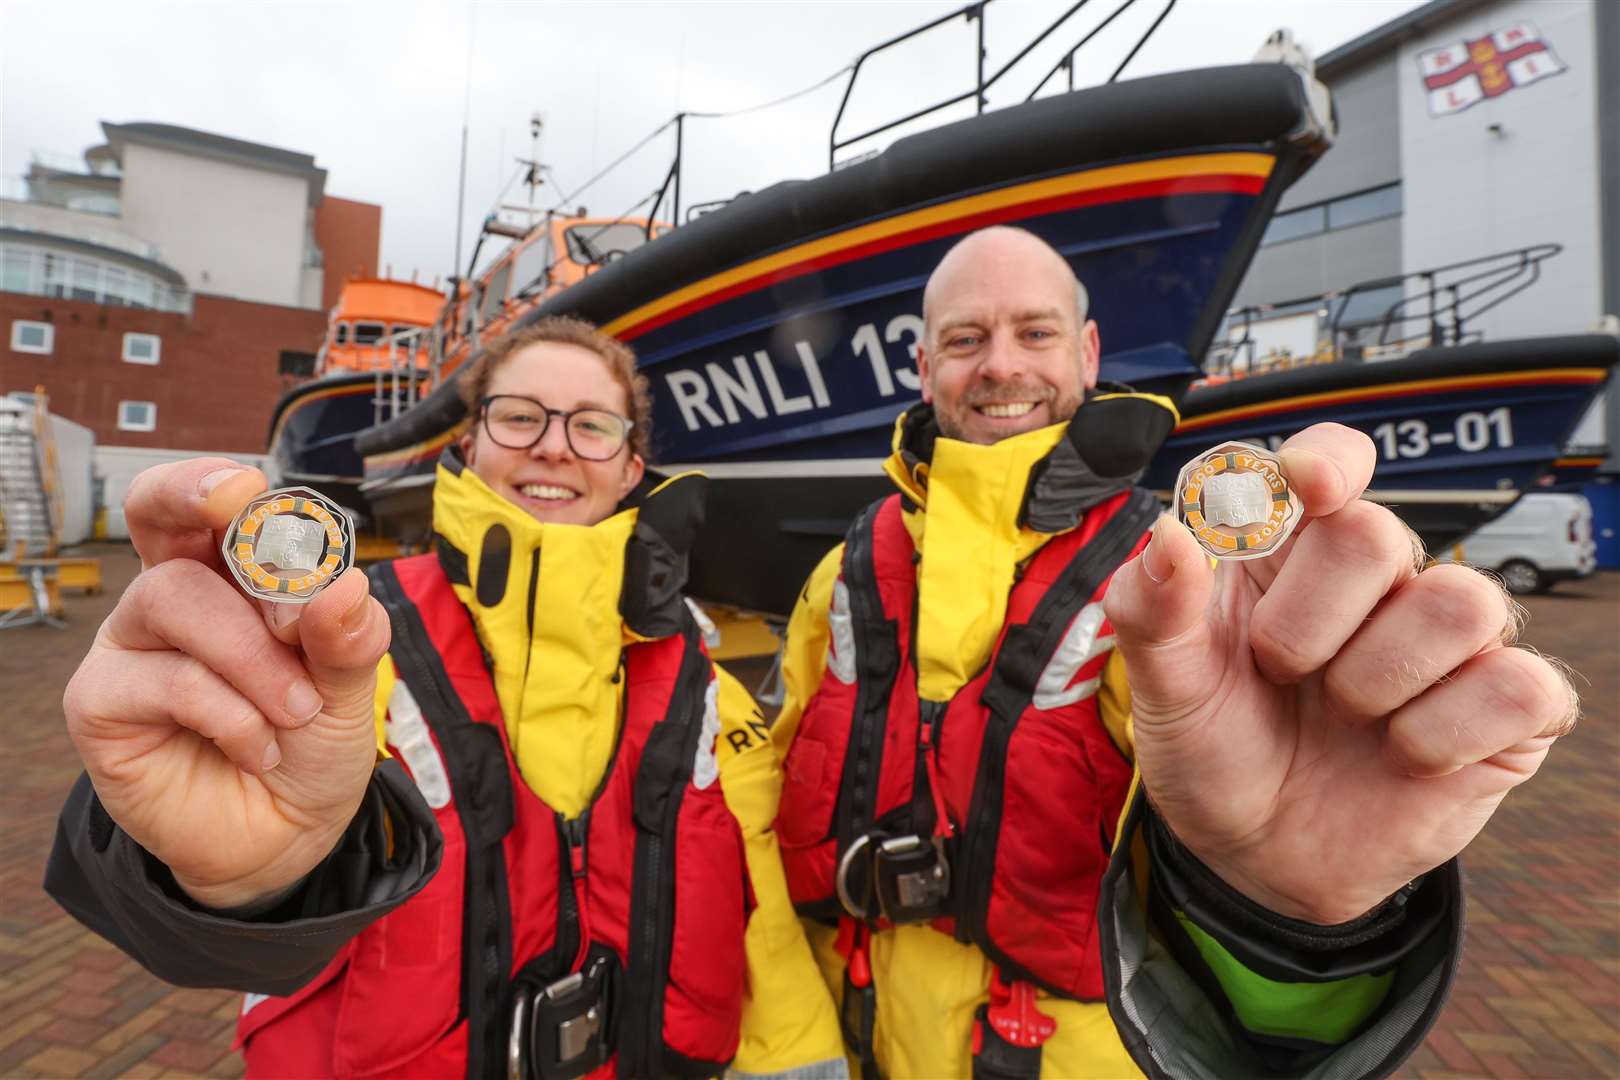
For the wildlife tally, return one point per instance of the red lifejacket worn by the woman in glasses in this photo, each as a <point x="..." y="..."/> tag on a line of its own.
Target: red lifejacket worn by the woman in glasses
<point x="644" y="896"/>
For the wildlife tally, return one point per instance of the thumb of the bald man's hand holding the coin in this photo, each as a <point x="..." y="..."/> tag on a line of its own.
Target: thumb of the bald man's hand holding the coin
<point x="1157" y="606"/>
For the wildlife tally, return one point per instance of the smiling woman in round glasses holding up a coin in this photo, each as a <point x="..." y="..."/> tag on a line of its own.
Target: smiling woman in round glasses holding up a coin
<point x="605" y="901"/>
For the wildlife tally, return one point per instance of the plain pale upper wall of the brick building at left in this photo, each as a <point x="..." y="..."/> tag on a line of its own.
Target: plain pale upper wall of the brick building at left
<point x="229" y="229"/>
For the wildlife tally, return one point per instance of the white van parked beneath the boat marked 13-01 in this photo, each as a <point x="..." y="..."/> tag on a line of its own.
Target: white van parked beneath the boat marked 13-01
<point x="1543" y="538"/>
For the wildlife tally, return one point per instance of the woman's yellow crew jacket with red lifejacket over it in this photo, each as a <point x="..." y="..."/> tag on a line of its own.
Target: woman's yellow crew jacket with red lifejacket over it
<point x="612" y="899"/>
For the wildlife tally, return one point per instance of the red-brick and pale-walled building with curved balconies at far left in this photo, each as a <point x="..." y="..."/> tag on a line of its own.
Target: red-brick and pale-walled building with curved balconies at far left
<point x="166" y="292"/>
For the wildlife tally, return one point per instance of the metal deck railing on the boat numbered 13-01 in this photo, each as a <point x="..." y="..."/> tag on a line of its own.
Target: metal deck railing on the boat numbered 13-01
<point x="1438" y="307"/>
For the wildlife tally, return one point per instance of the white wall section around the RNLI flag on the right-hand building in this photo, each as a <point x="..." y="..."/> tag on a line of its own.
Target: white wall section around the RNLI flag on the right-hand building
<point x="1472" y="192"/>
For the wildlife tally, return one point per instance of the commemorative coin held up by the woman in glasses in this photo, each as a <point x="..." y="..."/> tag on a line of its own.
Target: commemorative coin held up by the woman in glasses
<point x="289" y="545"/>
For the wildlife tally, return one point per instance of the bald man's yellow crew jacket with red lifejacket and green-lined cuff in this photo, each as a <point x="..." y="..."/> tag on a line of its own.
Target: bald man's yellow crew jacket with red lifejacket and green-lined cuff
<point x="961" y="822"/>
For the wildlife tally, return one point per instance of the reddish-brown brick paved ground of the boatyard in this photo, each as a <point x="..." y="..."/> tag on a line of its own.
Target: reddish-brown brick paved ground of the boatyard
<point x="1538" y="997"/>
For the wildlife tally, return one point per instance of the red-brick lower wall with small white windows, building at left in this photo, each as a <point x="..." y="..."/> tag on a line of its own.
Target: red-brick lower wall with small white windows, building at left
<point x="215" y="386"/>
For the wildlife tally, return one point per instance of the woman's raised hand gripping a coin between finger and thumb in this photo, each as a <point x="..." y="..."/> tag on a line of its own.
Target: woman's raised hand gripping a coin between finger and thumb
<point x="229" y="738"/>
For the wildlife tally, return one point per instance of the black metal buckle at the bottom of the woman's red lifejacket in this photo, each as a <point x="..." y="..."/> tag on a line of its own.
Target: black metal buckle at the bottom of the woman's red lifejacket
<point x="560" y="1031"/>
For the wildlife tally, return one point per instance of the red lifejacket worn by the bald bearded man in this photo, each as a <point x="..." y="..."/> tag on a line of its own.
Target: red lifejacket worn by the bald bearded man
<point x="1015" y="781"/>
